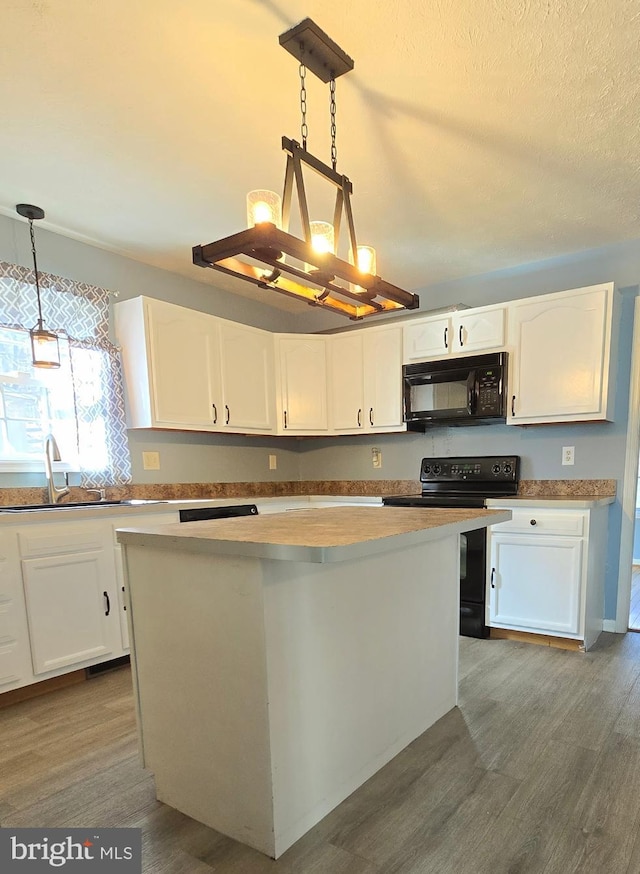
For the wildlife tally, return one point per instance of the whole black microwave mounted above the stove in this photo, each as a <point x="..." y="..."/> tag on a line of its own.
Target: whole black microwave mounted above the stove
<point x="455" y="391"/>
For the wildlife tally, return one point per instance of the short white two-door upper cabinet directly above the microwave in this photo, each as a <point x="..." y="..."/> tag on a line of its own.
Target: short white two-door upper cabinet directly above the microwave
<point x="475" y="330"/>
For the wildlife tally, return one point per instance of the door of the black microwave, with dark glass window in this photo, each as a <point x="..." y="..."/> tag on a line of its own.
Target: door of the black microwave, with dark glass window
<point x="439" y="395"/>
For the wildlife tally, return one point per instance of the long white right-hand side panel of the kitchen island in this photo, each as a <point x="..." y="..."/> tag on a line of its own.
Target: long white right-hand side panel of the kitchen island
<point x="362" y="658"/>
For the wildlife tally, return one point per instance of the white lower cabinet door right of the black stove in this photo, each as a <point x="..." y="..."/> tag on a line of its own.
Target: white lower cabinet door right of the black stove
<point x="535" y="583"/>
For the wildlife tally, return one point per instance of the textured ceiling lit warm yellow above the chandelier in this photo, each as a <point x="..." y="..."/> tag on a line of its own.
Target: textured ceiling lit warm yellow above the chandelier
<point x="478" y="134"/>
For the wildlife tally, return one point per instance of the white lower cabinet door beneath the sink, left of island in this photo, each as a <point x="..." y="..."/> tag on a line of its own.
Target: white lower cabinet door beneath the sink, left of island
<point x="70" y="602"/>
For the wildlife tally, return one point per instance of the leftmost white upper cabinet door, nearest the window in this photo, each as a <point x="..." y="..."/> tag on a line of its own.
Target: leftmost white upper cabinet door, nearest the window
<point x="183" y="351"/>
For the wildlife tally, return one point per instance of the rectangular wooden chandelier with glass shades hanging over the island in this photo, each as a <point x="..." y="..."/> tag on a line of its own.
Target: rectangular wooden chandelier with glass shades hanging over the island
<point x="266" y="254"/>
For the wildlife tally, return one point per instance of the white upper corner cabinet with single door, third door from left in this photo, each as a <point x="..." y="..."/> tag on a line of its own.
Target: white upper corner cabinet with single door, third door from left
<point x="301" y="384"/>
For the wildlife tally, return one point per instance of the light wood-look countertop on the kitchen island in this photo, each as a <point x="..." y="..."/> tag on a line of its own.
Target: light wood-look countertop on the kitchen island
<point x="318" y="535"/>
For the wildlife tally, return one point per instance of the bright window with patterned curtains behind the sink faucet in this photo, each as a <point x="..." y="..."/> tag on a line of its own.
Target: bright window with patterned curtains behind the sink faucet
<point x="80" y="403"/>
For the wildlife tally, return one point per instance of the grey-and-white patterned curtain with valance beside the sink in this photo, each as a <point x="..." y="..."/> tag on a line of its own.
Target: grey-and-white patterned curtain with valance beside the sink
<point x="79" y="312"/>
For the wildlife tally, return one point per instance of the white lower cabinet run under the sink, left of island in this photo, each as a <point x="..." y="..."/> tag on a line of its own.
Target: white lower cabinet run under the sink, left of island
<point x="62" y="603"/>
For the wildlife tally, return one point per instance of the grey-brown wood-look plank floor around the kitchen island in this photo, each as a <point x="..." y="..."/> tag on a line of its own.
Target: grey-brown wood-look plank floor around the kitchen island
<point x="537" y="771"/>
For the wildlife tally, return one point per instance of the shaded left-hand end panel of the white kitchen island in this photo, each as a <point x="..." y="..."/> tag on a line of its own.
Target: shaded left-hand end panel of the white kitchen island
<point x="198" y="632"/>
